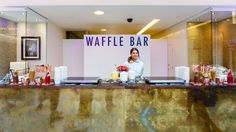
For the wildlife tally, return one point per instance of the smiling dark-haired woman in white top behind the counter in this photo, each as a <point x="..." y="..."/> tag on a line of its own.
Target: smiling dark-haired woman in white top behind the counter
<point x="134" y="63"/>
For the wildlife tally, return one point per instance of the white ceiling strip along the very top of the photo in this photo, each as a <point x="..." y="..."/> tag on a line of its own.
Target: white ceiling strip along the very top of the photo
<point x="115" y="2"/>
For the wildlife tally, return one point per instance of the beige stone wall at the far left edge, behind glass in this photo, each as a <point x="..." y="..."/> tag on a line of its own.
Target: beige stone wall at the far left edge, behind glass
<point x="7" y="45"/>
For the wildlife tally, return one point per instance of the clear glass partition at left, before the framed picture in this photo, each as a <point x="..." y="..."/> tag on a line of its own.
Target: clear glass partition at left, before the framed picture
<point x="16" y="23"/>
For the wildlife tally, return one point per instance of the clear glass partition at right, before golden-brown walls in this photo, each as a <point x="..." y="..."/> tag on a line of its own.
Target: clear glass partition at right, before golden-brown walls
<point x="212" y="39"/>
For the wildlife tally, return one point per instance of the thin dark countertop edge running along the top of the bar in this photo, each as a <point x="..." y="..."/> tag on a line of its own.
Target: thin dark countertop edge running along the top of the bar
<point x="102" y="85"/>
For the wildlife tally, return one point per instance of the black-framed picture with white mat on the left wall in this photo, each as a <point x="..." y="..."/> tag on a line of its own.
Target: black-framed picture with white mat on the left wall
<point x="30" y="48"/>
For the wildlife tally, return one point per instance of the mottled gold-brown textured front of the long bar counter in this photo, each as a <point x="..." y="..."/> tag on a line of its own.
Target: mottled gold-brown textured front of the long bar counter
<point x="117" y="108"/>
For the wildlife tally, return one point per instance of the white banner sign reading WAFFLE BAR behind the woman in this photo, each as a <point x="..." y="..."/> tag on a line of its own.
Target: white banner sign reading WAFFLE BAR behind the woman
<point x="103" y="52"/>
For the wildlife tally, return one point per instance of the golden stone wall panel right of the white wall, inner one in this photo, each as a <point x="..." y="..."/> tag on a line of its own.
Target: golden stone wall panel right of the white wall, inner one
<point x="199" y="43"/>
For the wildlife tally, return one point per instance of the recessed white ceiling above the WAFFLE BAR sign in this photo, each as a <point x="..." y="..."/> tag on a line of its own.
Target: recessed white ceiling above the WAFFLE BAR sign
<point x="81" y="18"/>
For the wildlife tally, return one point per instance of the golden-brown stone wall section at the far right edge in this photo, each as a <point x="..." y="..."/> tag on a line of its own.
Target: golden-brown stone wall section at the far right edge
<point x="225" y="37"/>
